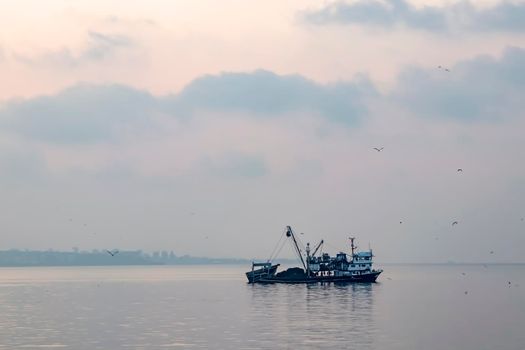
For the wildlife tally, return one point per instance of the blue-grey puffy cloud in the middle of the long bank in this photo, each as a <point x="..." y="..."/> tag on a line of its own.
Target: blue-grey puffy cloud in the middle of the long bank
<point x="266" y="93"/>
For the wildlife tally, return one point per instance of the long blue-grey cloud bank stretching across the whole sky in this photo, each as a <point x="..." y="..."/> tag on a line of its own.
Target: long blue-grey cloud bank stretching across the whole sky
<point x="484" y="88"/>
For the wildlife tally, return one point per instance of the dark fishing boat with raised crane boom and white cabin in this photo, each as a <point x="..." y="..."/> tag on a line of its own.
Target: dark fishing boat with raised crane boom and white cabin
<point x="316" y="267"/>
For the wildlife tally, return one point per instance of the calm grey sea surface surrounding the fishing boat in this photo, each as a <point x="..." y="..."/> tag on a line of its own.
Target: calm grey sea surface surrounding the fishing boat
<point x="209" y="307"/>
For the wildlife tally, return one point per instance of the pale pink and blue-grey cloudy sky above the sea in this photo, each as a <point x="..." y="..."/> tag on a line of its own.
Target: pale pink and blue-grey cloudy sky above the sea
<point x="206" y="127"/>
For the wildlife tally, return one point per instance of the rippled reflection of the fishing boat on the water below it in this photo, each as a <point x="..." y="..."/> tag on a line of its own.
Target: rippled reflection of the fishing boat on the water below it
<point x="305" y="316"/>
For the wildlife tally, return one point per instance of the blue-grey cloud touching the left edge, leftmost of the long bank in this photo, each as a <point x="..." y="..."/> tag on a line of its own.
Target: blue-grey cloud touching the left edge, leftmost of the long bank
<point x="80" y="114"/>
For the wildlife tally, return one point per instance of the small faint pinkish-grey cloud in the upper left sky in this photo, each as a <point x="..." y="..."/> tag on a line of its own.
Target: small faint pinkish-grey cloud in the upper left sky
<point x="99" y="46"/>
